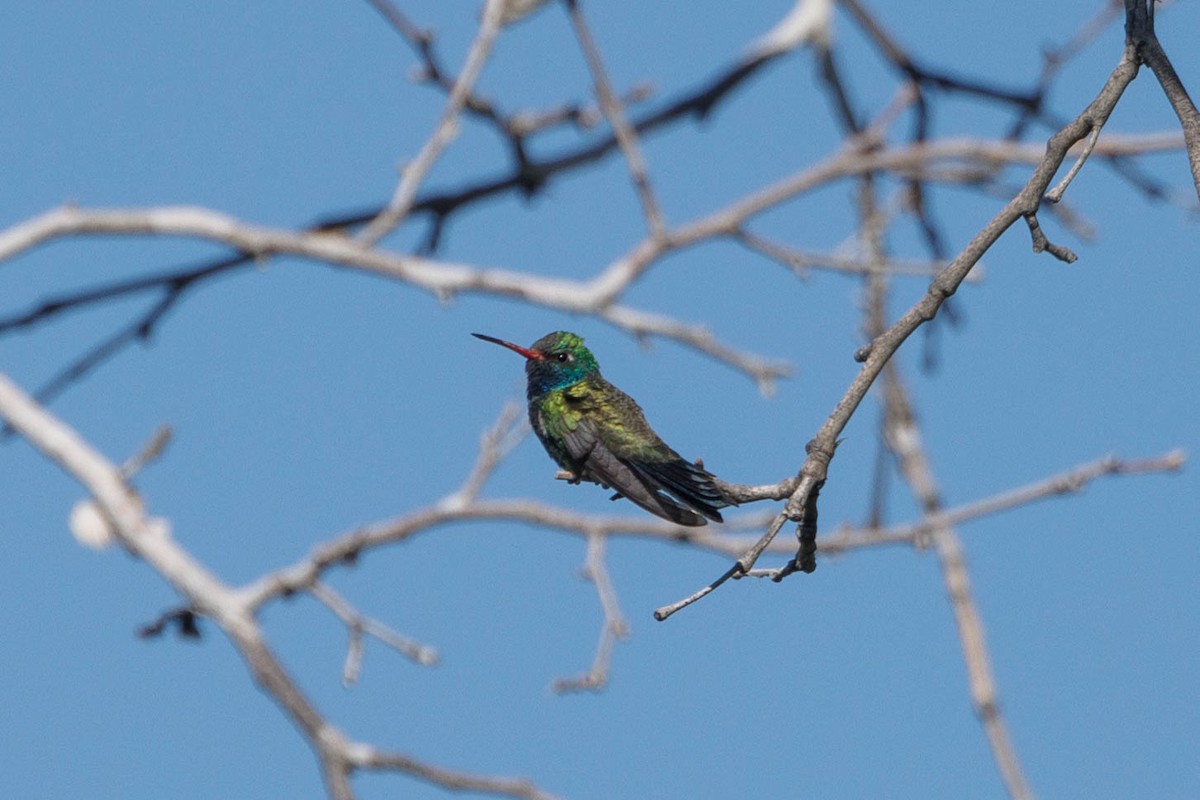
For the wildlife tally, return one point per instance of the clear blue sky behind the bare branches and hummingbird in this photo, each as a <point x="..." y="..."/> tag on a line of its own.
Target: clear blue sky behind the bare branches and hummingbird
<point x="309" y="400"/>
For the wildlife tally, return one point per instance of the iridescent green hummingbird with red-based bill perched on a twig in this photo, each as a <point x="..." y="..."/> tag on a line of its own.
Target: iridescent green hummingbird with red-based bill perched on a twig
<point x="599" y="434"/>
